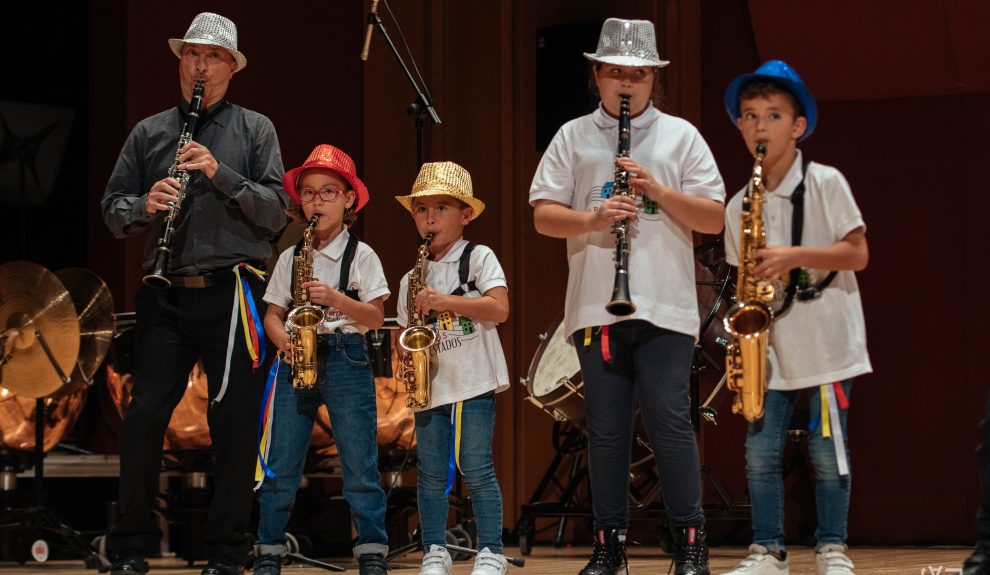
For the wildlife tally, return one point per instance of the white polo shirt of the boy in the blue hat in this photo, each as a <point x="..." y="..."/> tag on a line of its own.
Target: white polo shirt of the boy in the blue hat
<point x="822" y="340"/>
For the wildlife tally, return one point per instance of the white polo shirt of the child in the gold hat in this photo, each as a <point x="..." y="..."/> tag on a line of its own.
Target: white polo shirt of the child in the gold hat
<point x="468" y="355"/>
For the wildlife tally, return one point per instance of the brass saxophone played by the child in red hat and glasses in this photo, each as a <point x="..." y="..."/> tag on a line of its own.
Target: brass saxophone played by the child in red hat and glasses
<point x="305" y="318"/>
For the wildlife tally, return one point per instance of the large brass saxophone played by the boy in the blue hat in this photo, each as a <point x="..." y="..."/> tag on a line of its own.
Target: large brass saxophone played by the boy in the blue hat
<point x="748" y="321"/>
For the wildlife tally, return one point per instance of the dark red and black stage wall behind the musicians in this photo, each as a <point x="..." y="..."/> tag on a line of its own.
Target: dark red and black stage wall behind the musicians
<point x="904" y="94"/>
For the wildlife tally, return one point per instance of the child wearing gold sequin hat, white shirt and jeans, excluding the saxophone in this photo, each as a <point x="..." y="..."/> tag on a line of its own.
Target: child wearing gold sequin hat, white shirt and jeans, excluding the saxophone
<point x="464" y="297"/>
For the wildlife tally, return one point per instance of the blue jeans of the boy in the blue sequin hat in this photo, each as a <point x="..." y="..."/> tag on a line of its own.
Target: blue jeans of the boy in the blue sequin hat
<point x="765" y="443"/>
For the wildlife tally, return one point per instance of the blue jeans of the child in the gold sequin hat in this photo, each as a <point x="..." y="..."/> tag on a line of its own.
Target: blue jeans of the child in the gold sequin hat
<point x="476" y="466"/>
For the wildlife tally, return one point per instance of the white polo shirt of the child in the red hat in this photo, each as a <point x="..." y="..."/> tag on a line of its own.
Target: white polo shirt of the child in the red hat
<point x="367" y="277"/>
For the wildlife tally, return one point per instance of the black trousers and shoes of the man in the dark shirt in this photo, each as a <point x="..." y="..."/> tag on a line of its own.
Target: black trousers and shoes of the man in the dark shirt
<point x="175" y="327"/>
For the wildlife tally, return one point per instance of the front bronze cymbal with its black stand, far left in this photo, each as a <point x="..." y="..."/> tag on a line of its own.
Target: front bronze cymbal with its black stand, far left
<point x="37" y="312"/>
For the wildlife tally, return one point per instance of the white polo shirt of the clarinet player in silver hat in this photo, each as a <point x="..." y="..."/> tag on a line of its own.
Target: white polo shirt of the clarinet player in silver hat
<point x="577" y="170"/>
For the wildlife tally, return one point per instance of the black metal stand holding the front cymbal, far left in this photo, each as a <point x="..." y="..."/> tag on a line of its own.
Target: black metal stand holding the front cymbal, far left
<point x="40" y="517"/>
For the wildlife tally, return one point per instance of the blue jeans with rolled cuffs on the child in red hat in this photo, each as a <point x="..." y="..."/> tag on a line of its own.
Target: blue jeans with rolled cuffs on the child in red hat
<point x="347" y="387"/>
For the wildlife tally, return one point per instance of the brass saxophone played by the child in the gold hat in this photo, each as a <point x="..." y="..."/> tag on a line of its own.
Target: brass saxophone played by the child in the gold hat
<point x="417" y="339"/>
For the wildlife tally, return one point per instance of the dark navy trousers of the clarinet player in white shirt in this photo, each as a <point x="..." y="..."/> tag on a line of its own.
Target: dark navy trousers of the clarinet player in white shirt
<point x="651" y="366"/>
